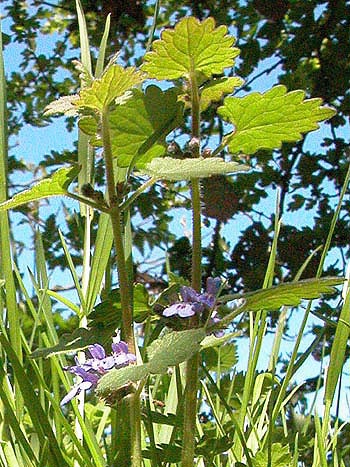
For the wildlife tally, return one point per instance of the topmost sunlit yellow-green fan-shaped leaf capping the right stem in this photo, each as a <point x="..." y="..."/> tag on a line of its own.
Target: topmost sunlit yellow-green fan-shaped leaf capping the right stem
<point x="191" y="47"/>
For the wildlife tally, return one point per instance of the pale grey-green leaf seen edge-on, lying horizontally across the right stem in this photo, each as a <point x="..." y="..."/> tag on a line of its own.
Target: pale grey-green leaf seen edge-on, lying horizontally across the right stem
<point x="168" y="168"/>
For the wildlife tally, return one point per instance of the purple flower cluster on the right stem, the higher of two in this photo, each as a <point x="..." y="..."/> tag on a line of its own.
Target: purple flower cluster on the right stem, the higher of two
<point x="195" y="303"/>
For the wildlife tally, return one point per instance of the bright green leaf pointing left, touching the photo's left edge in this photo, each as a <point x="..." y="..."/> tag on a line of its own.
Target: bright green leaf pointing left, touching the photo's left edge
<point x="55" y="185"/>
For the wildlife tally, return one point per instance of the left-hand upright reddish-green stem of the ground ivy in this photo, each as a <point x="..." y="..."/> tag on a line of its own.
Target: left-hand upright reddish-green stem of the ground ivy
<point x="129" y="413"/>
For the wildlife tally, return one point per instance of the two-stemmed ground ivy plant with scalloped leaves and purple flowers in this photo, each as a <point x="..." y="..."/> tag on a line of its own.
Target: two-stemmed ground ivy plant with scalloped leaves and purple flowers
<point x="129" y="116"/>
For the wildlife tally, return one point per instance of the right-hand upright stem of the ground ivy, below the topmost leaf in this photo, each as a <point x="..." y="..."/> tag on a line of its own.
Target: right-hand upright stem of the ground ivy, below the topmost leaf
<point x="191" y="380"/>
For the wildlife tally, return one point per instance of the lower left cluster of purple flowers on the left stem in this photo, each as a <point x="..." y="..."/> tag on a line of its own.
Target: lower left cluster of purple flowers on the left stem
<point x="96" y="364"/>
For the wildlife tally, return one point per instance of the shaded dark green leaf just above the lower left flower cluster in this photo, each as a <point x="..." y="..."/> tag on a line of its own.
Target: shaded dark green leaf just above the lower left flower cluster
<point x="77" y="340"/>
